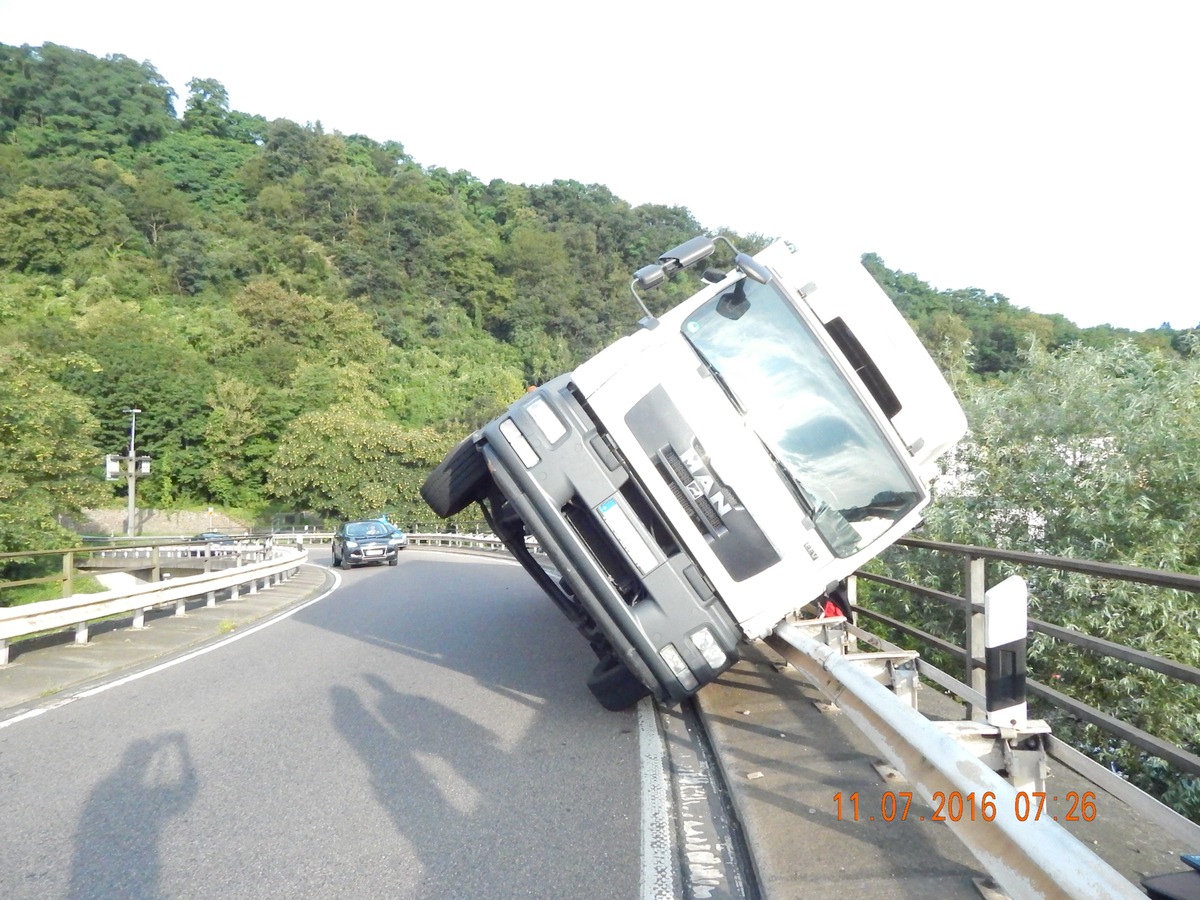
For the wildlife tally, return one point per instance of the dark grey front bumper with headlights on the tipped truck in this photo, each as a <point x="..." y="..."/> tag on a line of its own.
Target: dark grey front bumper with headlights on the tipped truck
<point x="611" y="547"/>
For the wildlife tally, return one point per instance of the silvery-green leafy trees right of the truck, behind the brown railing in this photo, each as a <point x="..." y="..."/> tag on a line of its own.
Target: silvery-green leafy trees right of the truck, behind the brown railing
<point x="1091" y="454"/>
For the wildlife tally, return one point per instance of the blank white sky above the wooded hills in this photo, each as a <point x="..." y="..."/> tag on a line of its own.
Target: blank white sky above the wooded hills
<point x="1042" y="151"/>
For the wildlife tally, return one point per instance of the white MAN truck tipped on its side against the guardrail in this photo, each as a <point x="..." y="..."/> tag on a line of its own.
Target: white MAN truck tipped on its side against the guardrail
<point x="728" y="464"/>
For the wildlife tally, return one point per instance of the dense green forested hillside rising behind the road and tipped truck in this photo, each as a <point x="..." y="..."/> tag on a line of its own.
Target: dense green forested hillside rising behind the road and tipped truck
<point x="291" y="309"/>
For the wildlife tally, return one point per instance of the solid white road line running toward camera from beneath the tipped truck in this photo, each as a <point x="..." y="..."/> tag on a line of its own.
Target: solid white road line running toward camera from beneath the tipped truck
<point x="658" y="871"/>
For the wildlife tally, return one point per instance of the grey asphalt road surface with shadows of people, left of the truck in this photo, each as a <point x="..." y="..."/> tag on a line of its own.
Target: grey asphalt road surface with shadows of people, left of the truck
<point x="423" y="731"/>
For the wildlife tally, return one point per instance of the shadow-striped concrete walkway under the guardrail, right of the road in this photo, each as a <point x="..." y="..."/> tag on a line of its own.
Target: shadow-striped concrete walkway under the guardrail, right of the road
<point x="787" y="761"/>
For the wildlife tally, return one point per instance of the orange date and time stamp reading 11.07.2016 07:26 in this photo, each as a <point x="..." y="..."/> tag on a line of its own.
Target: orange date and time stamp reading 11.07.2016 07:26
<point x="958" y="807"/>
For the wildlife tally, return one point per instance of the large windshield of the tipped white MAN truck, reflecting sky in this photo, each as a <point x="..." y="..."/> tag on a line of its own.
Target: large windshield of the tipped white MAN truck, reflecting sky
<point x="830" y="449"/>
